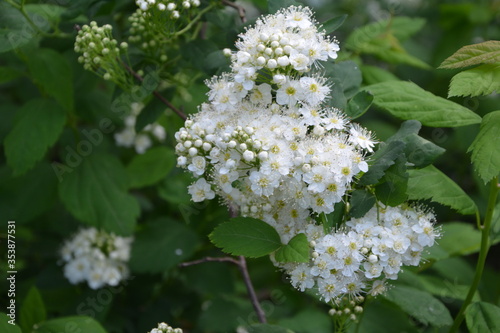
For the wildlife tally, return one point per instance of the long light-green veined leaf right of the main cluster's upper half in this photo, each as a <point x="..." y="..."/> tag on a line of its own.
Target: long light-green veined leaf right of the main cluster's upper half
<point x="406" y="100"/>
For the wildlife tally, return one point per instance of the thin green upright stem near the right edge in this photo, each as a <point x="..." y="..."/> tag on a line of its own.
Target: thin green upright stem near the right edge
<point x="485" y="245"/>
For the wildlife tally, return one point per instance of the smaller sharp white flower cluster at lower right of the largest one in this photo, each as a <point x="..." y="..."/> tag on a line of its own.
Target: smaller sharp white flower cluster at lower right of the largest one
<point x="368" y="251"/>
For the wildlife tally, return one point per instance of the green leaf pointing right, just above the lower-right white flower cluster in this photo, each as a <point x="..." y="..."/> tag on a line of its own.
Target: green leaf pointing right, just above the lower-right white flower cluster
<point x="430" y="183"/>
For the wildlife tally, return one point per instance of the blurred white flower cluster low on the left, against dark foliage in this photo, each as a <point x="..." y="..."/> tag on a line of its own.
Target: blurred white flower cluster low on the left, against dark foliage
<point x="97" y="257"/>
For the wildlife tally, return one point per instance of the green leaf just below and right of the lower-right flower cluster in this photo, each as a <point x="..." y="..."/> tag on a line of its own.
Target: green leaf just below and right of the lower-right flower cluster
<point x="421" y="305"/>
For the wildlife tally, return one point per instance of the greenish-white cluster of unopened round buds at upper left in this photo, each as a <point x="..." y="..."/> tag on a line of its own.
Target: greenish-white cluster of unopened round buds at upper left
<point x="100" y="52"/>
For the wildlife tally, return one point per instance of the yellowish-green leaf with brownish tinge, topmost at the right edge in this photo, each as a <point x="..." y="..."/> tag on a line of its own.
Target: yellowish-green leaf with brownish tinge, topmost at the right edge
<point x="481" y="53"/>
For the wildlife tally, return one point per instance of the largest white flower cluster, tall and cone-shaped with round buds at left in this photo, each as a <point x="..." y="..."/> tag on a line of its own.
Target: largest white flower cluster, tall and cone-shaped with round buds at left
<point x="269" y="147"/>
